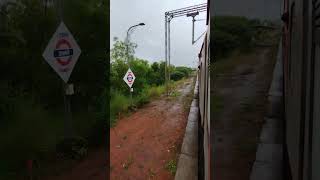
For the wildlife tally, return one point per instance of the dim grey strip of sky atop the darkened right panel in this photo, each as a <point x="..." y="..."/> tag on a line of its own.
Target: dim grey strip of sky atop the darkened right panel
<point x="261" y="9"/>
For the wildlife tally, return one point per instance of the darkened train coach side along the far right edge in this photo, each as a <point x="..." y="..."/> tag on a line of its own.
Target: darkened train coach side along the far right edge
<point x="302" y="88"/>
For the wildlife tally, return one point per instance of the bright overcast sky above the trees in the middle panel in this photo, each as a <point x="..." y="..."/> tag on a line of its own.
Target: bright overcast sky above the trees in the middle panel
<point x="150" y="38"/>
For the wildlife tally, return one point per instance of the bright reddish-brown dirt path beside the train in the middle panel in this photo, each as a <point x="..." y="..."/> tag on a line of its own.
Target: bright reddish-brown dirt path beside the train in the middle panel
<point x="142" y="144"/>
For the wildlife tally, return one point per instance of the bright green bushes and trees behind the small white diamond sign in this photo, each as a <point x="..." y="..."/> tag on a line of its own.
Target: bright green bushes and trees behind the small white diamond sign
<point x="148" y="83"/>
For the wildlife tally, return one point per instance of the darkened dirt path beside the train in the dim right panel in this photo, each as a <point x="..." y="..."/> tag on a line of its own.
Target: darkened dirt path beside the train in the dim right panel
<point x="243" y="94"/>
